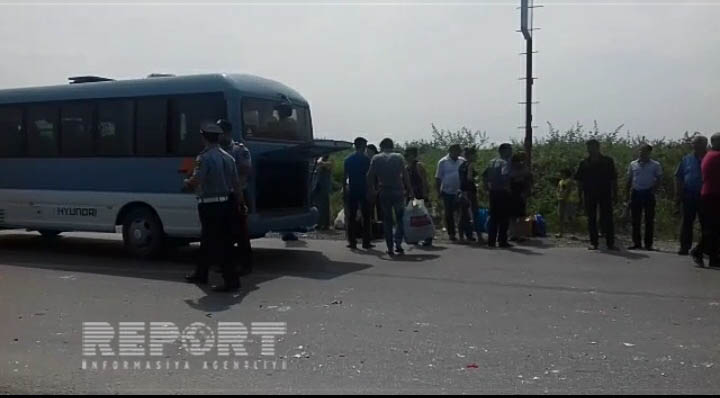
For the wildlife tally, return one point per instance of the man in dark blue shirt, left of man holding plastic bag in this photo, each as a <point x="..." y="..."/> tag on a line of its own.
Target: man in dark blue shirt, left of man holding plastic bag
<point x="356" y="195"/>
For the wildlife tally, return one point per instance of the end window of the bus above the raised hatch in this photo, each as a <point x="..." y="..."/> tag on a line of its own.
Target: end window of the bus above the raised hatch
<point x="275" y="120"/>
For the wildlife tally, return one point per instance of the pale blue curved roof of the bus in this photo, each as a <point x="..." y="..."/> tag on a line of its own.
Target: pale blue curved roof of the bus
<point x="243" y="84"/>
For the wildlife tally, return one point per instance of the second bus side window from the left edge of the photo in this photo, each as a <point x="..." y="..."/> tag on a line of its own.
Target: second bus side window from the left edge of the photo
<point x="42" y="128"/>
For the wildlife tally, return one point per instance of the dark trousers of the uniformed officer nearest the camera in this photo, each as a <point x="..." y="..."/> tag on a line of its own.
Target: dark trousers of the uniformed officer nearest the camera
<point x="216" y="241"/>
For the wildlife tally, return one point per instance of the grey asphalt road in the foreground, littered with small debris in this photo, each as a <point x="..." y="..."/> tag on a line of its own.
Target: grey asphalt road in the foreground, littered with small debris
<point x="454" y="319"/>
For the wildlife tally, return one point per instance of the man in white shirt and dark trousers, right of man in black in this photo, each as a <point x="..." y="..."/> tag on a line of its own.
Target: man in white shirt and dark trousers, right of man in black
<point x="644" y="176"/>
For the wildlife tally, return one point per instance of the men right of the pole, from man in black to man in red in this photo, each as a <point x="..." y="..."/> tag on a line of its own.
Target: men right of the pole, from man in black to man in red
<point x="697" y="194"/>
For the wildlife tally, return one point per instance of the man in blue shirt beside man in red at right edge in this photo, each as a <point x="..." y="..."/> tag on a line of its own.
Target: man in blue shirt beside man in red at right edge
<point x="688" y="184"/>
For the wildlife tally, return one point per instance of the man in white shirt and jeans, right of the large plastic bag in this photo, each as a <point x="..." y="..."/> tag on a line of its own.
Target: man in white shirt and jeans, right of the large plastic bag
<point x="447" y="179"/>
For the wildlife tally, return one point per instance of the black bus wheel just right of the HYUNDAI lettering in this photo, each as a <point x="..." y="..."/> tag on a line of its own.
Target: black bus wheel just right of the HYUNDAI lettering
<point x="143" y="233"/>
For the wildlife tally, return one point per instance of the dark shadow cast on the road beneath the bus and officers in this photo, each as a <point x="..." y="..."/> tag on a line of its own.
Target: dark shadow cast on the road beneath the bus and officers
<point x="108" y="257"/>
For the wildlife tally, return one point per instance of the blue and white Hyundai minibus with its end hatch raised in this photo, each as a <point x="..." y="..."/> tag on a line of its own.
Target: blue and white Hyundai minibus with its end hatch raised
<point x="101" y="155"/>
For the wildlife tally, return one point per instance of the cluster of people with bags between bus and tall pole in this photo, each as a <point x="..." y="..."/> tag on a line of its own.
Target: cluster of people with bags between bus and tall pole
<point x="392" y="180"/>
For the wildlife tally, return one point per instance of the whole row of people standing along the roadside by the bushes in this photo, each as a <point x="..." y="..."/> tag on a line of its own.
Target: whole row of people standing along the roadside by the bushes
<point x="393" y="180"/>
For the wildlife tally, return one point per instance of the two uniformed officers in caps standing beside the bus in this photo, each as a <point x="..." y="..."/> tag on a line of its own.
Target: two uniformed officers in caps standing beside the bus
<point x="219" y="180"/>
